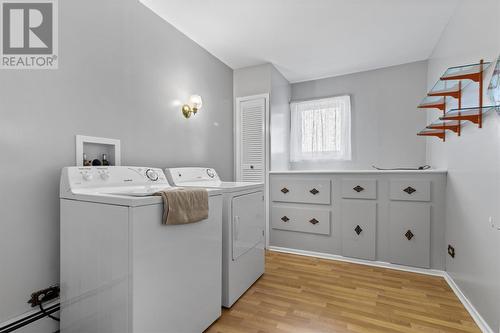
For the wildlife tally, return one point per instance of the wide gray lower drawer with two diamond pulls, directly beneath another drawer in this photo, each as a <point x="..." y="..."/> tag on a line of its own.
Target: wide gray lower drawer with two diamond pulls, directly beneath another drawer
<point x="315" y="221"/>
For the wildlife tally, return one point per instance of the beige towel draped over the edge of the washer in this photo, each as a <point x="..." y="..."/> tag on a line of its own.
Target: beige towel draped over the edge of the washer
<point x="183" y="205"/>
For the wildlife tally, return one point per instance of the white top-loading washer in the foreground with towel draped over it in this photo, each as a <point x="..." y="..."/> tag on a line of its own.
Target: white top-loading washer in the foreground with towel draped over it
<point x="122" y="270"/>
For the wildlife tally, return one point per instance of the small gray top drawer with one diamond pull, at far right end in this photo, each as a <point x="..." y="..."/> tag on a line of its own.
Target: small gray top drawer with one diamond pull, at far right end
<point x="410" y="190"/>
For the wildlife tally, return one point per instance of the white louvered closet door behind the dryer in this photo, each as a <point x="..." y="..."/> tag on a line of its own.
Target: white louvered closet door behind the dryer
<point x="251" y="121"/>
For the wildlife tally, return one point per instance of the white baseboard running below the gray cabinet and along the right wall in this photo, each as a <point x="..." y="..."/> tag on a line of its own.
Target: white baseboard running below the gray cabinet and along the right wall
<point x="478" y="319"/>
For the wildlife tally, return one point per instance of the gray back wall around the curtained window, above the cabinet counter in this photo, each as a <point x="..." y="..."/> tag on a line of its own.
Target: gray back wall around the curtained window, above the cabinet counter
<point x="385" y="119"/>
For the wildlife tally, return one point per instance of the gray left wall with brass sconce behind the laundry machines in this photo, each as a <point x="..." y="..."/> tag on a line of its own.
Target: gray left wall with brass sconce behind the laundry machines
<point x="122" y="69"/>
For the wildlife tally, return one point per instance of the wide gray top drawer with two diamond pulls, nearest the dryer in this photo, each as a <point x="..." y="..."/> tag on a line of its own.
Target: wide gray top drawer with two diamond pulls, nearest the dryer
<point x="301" y="191"/>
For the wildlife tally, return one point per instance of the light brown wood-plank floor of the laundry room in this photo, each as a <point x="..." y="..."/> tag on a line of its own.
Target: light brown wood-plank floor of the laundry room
<point x="307" y="295"/>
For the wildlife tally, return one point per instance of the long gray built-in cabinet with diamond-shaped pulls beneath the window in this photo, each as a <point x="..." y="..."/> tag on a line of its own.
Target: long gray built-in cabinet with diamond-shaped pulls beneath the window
<point x="400" y="214"/>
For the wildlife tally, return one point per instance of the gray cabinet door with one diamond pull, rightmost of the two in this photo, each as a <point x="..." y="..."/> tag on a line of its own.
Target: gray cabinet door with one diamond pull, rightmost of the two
<point x="409" y="233"/>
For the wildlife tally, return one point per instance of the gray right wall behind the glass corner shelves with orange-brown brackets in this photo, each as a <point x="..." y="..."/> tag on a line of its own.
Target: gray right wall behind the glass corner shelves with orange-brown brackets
<point x="473" y="162"/>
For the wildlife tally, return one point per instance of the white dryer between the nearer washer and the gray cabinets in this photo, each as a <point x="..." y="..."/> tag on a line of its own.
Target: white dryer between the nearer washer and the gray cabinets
<point x="243" y="227"/>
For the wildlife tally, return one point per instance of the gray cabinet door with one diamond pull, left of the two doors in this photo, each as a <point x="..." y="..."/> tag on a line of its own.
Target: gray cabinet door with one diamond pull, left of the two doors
<point x="359" y="220"/>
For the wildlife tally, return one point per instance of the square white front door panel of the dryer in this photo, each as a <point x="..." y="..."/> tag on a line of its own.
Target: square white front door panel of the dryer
<point x="248" y="222"/>
